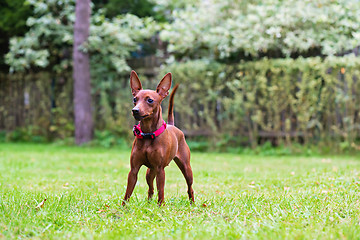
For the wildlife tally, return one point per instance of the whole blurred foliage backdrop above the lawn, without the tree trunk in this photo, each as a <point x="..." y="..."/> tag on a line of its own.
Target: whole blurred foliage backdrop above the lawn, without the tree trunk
<point x="252" y="73"/>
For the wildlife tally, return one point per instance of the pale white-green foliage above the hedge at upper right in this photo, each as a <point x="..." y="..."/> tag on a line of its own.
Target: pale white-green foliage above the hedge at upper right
<point x="274" y="28"/>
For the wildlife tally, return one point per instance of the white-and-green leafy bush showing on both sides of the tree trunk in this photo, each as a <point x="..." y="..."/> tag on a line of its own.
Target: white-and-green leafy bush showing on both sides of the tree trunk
<point x="48" y="43"/>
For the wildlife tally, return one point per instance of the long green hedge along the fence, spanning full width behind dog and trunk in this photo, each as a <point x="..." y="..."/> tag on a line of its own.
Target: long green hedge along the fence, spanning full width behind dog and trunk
<point x="310" y="100"/>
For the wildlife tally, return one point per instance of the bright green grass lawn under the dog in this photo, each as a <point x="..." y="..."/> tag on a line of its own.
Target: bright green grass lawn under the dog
<point x="237" y="196"/>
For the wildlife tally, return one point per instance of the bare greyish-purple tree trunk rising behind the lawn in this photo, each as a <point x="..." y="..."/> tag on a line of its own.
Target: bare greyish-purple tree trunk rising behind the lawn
<point x="82" y="90"/>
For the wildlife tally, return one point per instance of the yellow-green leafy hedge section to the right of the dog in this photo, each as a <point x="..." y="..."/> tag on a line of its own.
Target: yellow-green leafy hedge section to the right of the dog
<point x="302" y="100"/>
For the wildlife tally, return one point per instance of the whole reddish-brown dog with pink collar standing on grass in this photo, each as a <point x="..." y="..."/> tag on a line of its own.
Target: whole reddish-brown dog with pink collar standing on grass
<point x="156" y="143"/>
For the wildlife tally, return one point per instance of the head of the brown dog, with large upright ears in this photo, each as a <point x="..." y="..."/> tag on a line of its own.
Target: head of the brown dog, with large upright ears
<point x="148" y="102"/>
